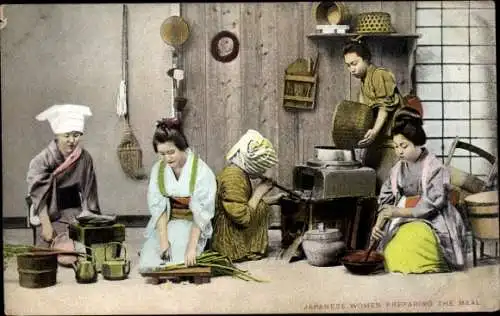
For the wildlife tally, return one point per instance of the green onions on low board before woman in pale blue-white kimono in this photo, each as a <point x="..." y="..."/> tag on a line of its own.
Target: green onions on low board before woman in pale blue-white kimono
<point x="221" y="265"/>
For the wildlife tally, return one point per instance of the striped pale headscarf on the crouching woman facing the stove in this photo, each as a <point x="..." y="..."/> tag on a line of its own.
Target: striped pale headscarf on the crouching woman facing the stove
<point x="253" y="153"/>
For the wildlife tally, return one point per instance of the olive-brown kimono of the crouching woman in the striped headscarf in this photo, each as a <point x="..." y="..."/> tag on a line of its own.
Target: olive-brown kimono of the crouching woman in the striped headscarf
<point x="239" y="232"/>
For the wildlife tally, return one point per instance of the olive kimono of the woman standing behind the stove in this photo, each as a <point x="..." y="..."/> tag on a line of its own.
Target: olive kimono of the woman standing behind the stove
<point x="379" y="90"/>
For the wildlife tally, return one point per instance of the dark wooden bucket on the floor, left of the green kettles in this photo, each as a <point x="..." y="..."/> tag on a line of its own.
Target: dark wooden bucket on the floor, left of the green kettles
<point x="37" y="270"/>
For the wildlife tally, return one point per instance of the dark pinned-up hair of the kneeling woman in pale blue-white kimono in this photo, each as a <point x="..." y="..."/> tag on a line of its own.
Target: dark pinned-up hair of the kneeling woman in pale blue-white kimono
<point x="169" y="130"/>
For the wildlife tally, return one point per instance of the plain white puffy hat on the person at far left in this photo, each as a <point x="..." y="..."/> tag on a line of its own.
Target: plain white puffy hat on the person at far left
<point x="65" y="118"/>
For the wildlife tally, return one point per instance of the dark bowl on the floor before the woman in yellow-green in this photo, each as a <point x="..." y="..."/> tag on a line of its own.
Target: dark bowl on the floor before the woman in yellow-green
<point x="354" y="262"/>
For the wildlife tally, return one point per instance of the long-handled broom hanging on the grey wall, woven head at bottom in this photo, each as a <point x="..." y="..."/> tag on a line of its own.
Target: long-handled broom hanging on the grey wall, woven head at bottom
<point x="129" y="150"/>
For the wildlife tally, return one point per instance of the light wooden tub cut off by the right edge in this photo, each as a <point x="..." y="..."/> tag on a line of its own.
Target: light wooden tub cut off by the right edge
<point x="483" y="214"/>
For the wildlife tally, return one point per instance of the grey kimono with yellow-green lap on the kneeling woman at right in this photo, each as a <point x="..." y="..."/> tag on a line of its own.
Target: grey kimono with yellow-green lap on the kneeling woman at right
<point x="409" y="246"/>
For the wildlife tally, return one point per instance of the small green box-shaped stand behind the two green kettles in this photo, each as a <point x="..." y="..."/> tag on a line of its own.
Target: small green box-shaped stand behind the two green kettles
<point x="96" y="238"/>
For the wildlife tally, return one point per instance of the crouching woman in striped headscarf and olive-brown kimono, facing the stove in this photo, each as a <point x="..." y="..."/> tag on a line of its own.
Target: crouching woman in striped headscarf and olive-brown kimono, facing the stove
<point x="241" y="214"/>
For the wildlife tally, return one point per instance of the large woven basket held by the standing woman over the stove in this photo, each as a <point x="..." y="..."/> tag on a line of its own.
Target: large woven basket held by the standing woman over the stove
<point x="351" y="121"/>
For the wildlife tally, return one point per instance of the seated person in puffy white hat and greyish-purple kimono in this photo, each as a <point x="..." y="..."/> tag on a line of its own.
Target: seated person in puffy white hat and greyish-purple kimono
<point x="61" y="178"/>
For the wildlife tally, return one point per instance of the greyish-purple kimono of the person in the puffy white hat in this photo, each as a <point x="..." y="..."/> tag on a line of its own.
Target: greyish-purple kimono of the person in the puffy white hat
<point x="67" y="193"/>
